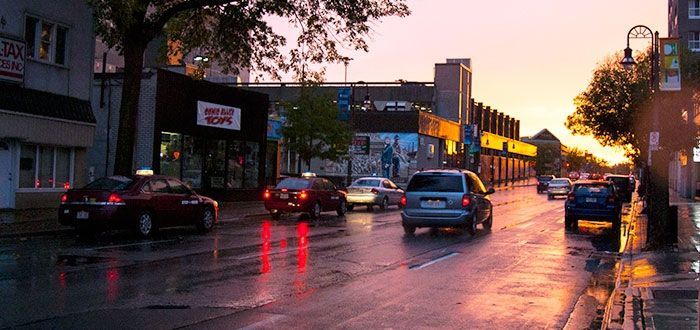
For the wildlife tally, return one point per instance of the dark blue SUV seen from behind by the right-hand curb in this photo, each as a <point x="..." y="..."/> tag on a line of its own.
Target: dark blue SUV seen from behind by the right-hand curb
<point x="595" y="201"/>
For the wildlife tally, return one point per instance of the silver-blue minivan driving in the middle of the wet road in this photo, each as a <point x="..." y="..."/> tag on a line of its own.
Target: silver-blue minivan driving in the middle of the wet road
<point x="446" y="198"/>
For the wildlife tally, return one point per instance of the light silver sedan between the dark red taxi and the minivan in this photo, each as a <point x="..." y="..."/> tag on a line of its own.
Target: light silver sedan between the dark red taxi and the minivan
<point x="372" y="191"/>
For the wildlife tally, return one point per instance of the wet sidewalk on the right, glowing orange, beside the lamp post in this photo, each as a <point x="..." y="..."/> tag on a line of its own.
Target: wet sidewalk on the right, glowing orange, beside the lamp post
<point x="658" y="289"/>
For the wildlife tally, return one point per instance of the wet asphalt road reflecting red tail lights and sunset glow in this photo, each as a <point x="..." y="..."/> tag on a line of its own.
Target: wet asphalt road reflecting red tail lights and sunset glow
<point x="360" y="271"/>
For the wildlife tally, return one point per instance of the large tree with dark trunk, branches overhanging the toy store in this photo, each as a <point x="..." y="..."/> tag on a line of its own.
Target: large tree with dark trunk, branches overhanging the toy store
<point x="235" y="34"/>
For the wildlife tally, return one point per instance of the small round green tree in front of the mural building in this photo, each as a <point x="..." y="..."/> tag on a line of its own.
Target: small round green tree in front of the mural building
<point x="312" y="129"/>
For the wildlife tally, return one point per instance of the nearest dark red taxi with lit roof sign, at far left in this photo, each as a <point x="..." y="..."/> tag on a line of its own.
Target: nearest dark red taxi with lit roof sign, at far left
<point x="140" y="202"/>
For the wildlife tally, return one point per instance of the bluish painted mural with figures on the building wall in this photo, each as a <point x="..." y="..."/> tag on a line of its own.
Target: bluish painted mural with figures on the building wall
<point x="391" y="155"/>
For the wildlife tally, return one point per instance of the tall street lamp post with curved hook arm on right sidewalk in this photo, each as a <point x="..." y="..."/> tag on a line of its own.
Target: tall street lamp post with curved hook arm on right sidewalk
<point x="656" y="177"/>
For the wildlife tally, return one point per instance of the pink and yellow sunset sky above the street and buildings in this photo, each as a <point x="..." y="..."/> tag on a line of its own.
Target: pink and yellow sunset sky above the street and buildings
<point x="529" y="58"/>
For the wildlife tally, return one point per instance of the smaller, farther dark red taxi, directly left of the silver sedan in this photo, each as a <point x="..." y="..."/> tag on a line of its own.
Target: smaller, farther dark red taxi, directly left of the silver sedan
<point x="307" y="195"/>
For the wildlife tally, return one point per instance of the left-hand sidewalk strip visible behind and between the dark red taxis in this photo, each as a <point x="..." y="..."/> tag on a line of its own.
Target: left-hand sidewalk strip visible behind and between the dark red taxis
<point x="18" y="223"/>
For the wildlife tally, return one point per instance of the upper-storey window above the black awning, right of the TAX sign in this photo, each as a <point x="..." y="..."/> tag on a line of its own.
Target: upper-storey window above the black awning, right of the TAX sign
<point x="46" y="41"/>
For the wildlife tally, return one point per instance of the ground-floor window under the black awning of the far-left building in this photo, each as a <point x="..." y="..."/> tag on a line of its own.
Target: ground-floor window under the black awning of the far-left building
<point x="45" y="167"/>
